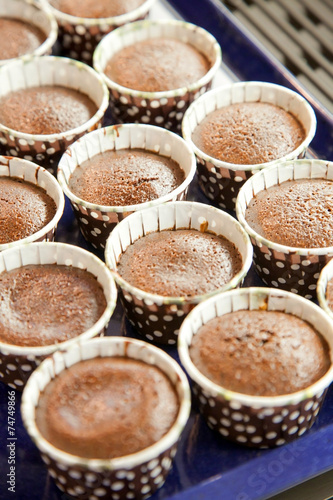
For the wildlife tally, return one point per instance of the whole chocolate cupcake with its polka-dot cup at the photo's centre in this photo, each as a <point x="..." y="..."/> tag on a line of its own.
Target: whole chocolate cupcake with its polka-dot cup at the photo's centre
<point x="170" y="257"/>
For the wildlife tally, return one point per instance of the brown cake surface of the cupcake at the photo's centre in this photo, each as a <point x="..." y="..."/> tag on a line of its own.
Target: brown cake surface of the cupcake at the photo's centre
<point x="184" y="262"/>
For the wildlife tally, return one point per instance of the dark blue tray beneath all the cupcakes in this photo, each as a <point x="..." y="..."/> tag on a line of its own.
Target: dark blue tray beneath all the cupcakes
<point x="206" y="465"/>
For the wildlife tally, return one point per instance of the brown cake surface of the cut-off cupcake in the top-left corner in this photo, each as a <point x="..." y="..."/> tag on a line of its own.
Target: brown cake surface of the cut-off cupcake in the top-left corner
<point x="18" y="38"/>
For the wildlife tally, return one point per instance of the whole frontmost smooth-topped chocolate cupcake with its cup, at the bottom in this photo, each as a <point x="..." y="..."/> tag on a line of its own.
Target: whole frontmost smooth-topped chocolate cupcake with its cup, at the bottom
<point x="130" y="468"/>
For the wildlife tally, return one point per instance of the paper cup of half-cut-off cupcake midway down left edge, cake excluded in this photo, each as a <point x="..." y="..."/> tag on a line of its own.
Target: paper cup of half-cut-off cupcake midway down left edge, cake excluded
<point x="32" y="173"/>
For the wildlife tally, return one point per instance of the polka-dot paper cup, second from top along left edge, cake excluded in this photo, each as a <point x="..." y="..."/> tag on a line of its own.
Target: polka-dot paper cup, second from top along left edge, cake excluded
<point x="46" y="149"/>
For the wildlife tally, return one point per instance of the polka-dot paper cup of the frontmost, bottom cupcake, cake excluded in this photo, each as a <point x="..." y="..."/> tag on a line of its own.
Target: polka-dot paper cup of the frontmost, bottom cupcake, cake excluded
<point x="137" y="475"/>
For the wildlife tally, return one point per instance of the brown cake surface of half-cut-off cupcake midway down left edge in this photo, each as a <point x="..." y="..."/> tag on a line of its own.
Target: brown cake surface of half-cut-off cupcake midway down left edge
<point x="24" y="209"/>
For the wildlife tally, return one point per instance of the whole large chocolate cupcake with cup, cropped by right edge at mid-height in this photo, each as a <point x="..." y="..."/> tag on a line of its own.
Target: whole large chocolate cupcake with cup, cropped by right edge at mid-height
<point x="287" y="211"/>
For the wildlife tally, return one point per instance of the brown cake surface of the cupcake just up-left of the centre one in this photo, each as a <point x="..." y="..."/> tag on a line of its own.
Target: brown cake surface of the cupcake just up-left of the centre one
<point x="125" y="177"/>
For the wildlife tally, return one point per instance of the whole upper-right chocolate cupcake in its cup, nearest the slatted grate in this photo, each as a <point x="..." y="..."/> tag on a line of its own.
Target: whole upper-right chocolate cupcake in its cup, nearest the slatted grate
<point x="237" y="129"/>
